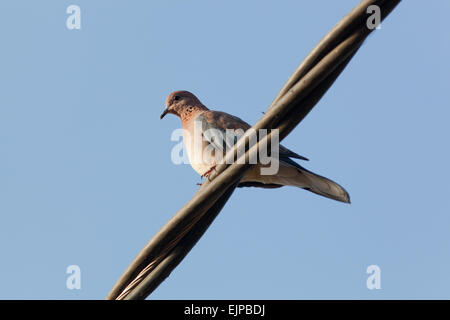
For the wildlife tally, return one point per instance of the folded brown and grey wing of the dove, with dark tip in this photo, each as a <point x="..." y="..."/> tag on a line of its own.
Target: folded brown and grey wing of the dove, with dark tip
<point x="215" y="123"/>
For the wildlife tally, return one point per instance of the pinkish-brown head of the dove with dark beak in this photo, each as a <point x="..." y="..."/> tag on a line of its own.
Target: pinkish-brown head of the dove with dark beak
<point x="181" y="102"/>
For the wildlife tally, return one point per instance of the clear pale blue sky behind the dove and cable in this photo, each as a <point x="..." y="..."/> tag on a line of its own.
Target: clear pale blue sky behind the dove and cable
<point x="86" y="177"/>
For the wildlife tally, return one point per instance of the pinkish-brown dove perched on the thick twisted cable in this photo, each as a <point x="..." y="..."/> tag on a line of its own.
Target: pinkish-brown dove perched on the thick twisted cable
<point x="190" y="110"/>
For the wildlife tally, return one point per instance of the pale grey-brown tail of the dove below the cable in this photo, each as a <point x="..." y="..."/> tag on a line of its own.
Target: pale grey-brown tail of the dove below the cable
<point x="322" y="186"/>
